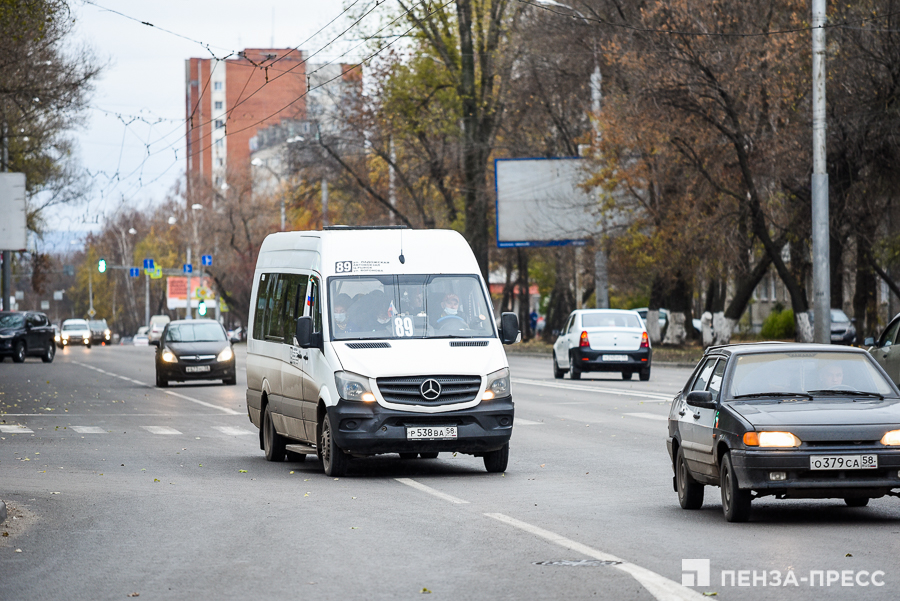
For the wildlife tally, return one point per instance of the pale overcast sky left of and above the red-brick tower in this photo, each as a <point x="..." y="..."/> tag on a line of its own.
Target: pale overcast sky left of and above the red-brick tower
<point x="139" y="100"/>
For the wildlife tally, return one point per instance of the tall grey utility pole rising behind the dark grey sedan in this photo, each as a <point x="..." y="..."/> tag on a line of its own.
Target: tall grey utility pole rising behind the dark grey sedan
<point x="820" y="229"/>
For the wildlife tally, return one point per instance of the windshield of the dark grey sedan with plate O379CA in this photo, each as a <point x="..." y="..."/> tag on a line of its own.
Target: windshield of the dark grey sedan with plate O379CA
<point x="804" y="373"/>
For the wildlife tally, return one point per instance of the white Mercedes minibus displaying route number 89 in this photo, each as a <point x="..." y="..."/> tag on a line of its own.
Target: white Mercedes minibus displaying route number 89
<point x="369" y="340"/>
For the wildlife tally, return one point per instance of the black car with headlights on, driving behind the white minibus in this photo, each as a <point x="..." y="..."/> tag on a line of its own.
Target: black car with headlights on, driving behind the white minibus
<point x="195" y="349"/>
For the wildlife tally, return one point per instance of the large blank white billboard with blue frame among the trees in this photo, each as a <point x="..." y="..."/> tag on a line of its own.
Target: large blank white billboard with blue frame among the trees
<point x="540" y="202"/>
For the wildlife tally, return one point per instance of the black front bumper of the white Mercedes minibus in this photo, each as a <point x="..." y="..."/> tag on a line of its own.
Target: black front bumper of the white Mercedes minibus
<point x="370" y="429"/>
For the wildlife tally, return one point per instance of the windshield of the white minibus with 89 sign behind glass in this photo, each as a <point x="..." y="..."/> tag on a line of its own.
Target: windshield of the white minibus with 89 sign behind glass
<point x="408" y="306"/>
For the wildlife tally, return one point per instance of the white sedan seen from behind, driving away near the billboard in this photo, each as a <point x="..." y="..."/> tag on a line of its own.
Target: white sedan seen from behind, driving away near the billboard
<point x="604" y="340"/>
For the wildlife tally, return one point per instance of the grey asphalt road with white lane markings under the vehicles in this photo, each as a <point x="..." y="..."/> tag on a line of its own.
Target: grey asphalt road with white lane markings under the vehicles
<point x="122" y="488"/>
